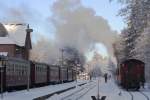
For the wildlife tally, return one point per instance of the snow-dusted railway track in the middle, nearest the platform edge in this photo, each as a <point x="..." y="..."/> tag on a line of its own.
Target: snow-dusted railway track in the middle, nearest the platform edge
<point x="78" y="94"/>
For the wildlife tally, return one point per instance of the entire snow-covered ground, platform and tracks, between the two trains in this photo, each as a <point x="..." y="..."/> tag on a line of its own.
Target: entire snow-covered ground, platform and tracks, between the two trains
<point x="109" y="89"/>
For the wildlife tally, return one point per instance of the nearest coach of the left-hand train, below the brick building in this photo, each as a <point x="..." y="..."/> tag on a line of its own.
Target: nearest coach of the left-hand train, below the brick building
<point x="14" y="73"/>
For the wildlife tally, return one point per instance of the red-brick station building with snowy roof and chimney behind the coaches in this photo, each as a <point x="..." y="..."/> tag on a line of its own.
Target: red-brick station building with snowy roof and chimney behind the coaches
<point x="15" y="40"/>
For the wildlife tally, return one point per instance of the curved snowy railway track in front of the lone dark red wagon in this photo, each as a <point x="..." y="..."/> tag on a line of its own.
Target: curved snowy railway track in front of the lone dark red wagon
<point x="134" y="95"/>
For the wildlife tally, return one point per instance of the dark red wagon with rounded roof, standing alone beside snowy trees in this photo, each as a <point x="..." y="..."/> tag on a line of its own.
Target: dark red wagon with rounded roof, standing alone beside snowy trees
<point x="130" y="74"/>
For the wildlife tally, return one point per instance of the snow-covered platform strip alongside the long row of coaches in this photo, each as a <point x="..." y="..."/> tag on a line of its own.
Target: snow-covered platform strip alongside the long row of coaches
<point x="37" y="92"/>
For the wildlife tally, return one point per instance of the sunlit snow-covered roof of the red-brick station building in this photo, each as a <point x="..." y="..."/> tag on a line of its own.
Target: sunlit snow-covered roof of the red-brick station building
<point x="16" y="35"/>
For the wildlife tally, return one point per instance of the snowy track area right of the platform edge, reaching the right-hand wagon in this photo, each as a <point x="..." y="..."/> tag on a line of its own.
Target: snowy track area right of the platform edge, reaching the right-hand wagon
<point x="110" y="90"/>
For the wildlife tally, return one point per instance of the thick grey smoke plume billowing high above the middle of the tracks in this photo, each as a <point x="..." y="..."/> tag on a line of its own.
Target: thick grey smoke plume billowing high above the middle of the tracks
<point x="79" y="27"/>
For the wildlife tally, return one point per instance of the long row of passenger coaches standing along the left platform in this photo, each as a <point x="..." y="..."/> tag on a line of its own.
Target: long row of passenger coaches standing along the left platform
<point x="19" y="74"/>
